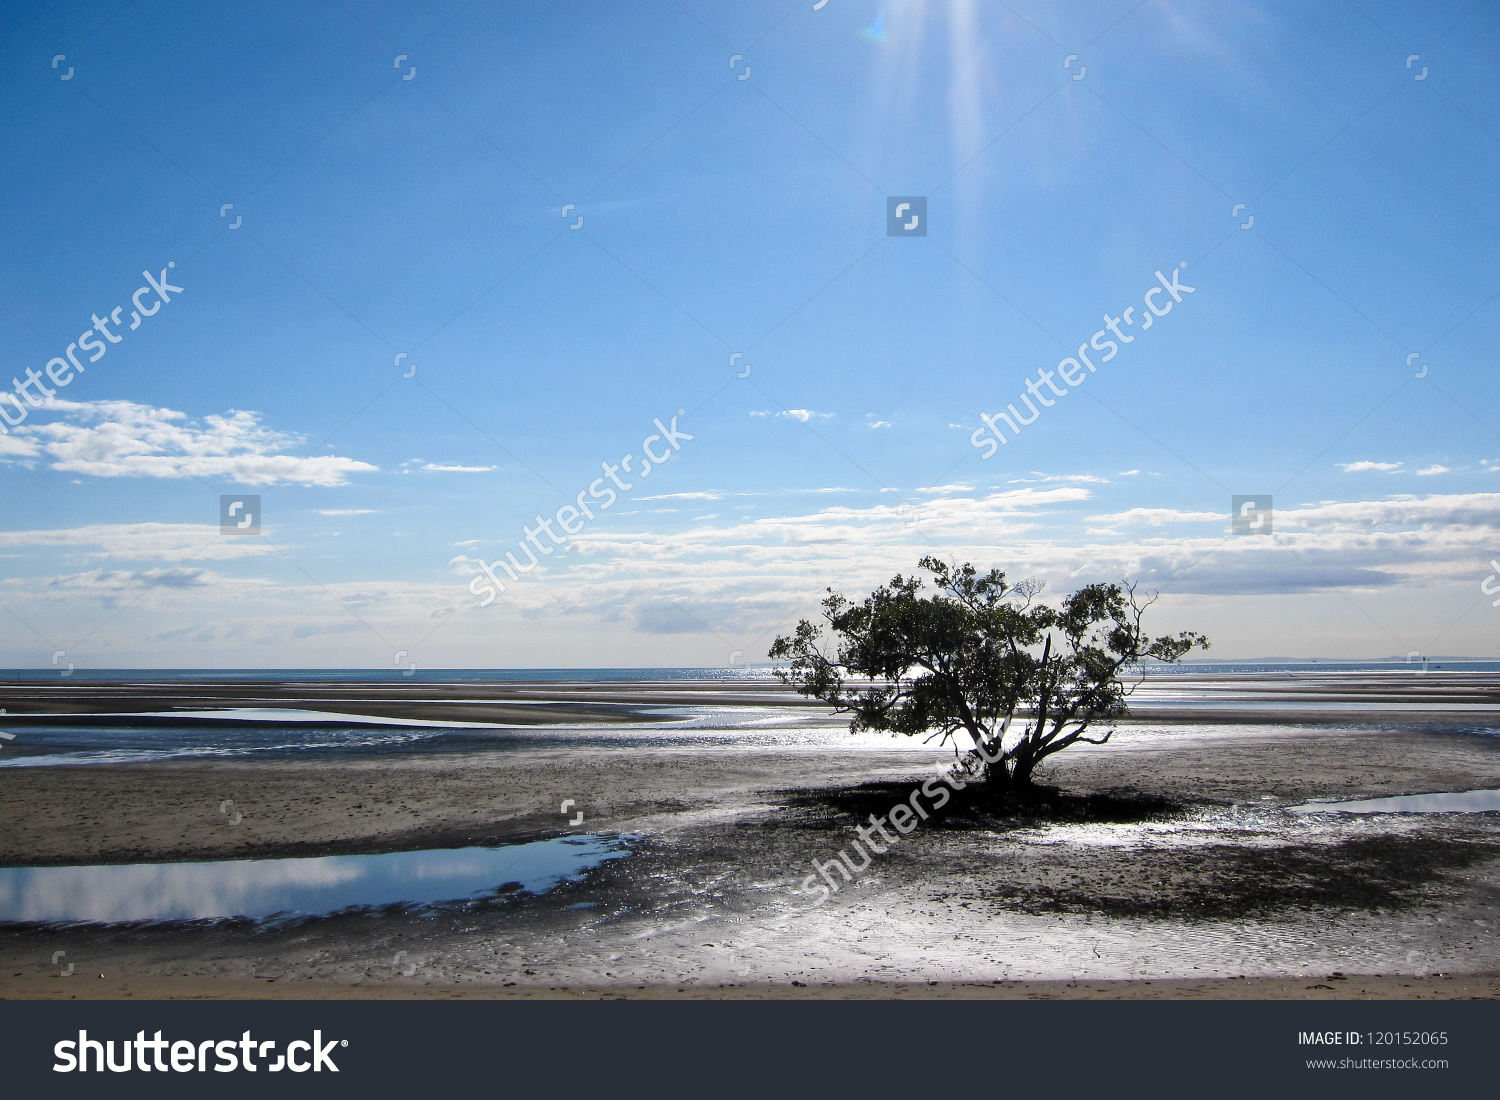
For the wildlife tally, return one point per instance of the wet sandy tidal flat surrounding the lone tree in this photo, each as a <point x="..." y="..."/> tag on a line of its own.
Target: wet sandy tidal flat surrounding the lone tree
<point x="1169" y="864"/>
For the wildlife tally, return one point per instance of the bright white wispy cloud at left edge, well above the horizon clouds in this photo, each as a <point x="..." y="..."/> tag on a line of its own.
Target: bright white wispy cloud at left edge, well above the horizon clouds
<point x="119" y="439"/>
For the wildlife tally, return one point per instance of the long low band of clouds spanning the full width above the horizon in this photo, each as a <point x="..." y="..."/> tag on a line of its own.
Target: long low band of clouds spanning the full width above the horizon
<point x="761" y="574"/>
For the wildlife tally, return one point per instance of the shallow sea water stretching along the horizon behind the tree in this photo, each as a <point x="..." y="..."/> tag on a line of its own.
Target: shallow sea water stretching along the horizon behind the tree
<point x="1450" y="697"/>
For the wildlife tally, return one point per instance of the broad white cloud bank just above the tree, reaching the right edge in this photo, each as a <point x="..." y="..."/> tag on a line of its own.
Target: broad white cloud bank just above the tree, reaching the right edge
<point x="754" y="573"/>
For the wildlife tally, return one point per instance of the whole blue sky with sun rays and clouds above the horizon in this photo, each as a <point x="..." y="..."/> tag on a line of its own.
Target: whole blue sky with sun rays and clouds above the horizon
<point x="383" y="217"/>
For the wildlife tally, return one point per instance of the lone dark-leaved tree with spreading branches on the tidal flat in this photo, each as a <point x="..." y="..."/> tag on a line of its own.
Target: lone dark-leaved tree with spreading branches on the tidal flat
<point x="1022" y="679"/>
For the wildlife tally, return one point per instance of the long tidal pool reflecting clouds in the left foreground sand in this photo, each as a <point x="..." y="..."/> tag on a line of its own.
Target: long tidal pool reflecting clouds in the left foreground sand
<point x="262" y="889"/>
